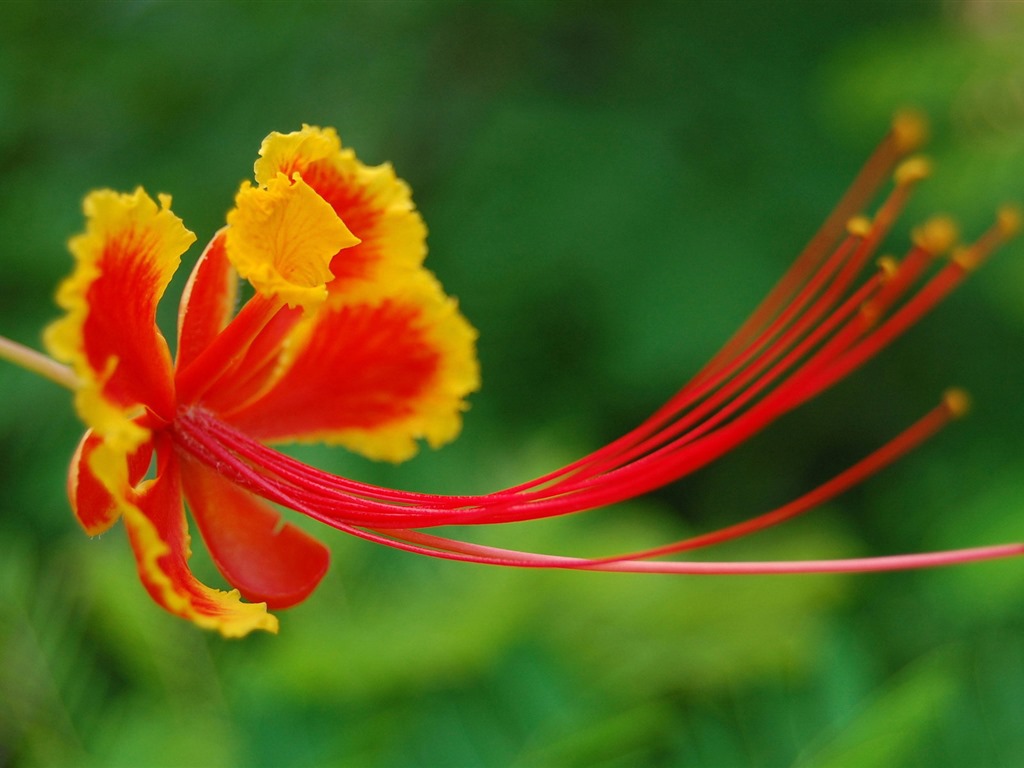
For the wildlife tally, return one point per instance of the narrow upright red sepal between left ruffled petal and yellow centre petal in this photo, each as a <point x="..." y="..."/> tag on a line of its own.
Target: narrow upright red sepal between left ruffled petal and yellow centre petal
<point x="207" y="303"/>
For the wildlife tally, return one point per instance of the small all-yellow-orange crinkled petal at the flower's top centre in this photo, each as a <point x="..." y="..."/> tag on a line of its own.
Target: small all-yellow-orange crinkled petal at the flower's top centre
<point x="282" y="236"/>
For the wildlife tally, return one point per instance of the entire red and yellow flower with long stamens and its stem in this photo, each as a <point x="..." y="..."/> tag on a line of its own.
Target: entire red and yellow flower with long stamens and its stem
<point x="349" y="339"/>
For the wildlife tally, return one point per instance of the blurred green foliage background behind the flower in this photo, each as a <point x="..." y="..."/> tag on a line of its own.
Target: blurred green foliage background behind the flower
<point x="610" y="189"/>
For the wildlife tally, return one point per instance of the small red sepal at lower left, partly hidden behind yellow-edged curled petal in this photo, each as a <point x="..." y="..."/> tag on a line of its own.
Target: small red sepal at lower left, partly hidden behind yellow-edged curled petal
<point x="92" y="502"/>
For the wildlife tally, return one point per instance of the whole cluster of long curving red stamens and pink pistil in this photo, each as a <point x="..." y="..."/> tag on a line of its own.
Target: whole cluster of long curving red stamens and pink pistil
<point x="822" y="322"/>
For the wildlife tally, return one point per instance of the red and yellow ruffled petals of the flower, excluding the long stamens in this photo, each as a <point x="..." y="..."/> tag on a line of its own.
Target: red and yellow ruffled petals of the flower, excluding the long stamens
<point x="348" y="339"/>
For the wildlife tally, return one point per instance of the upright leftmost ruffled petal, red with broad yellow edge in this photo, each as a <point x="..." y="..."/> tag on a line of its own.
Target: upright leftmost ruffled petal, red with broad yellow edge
<point x="123" y="264"/>
